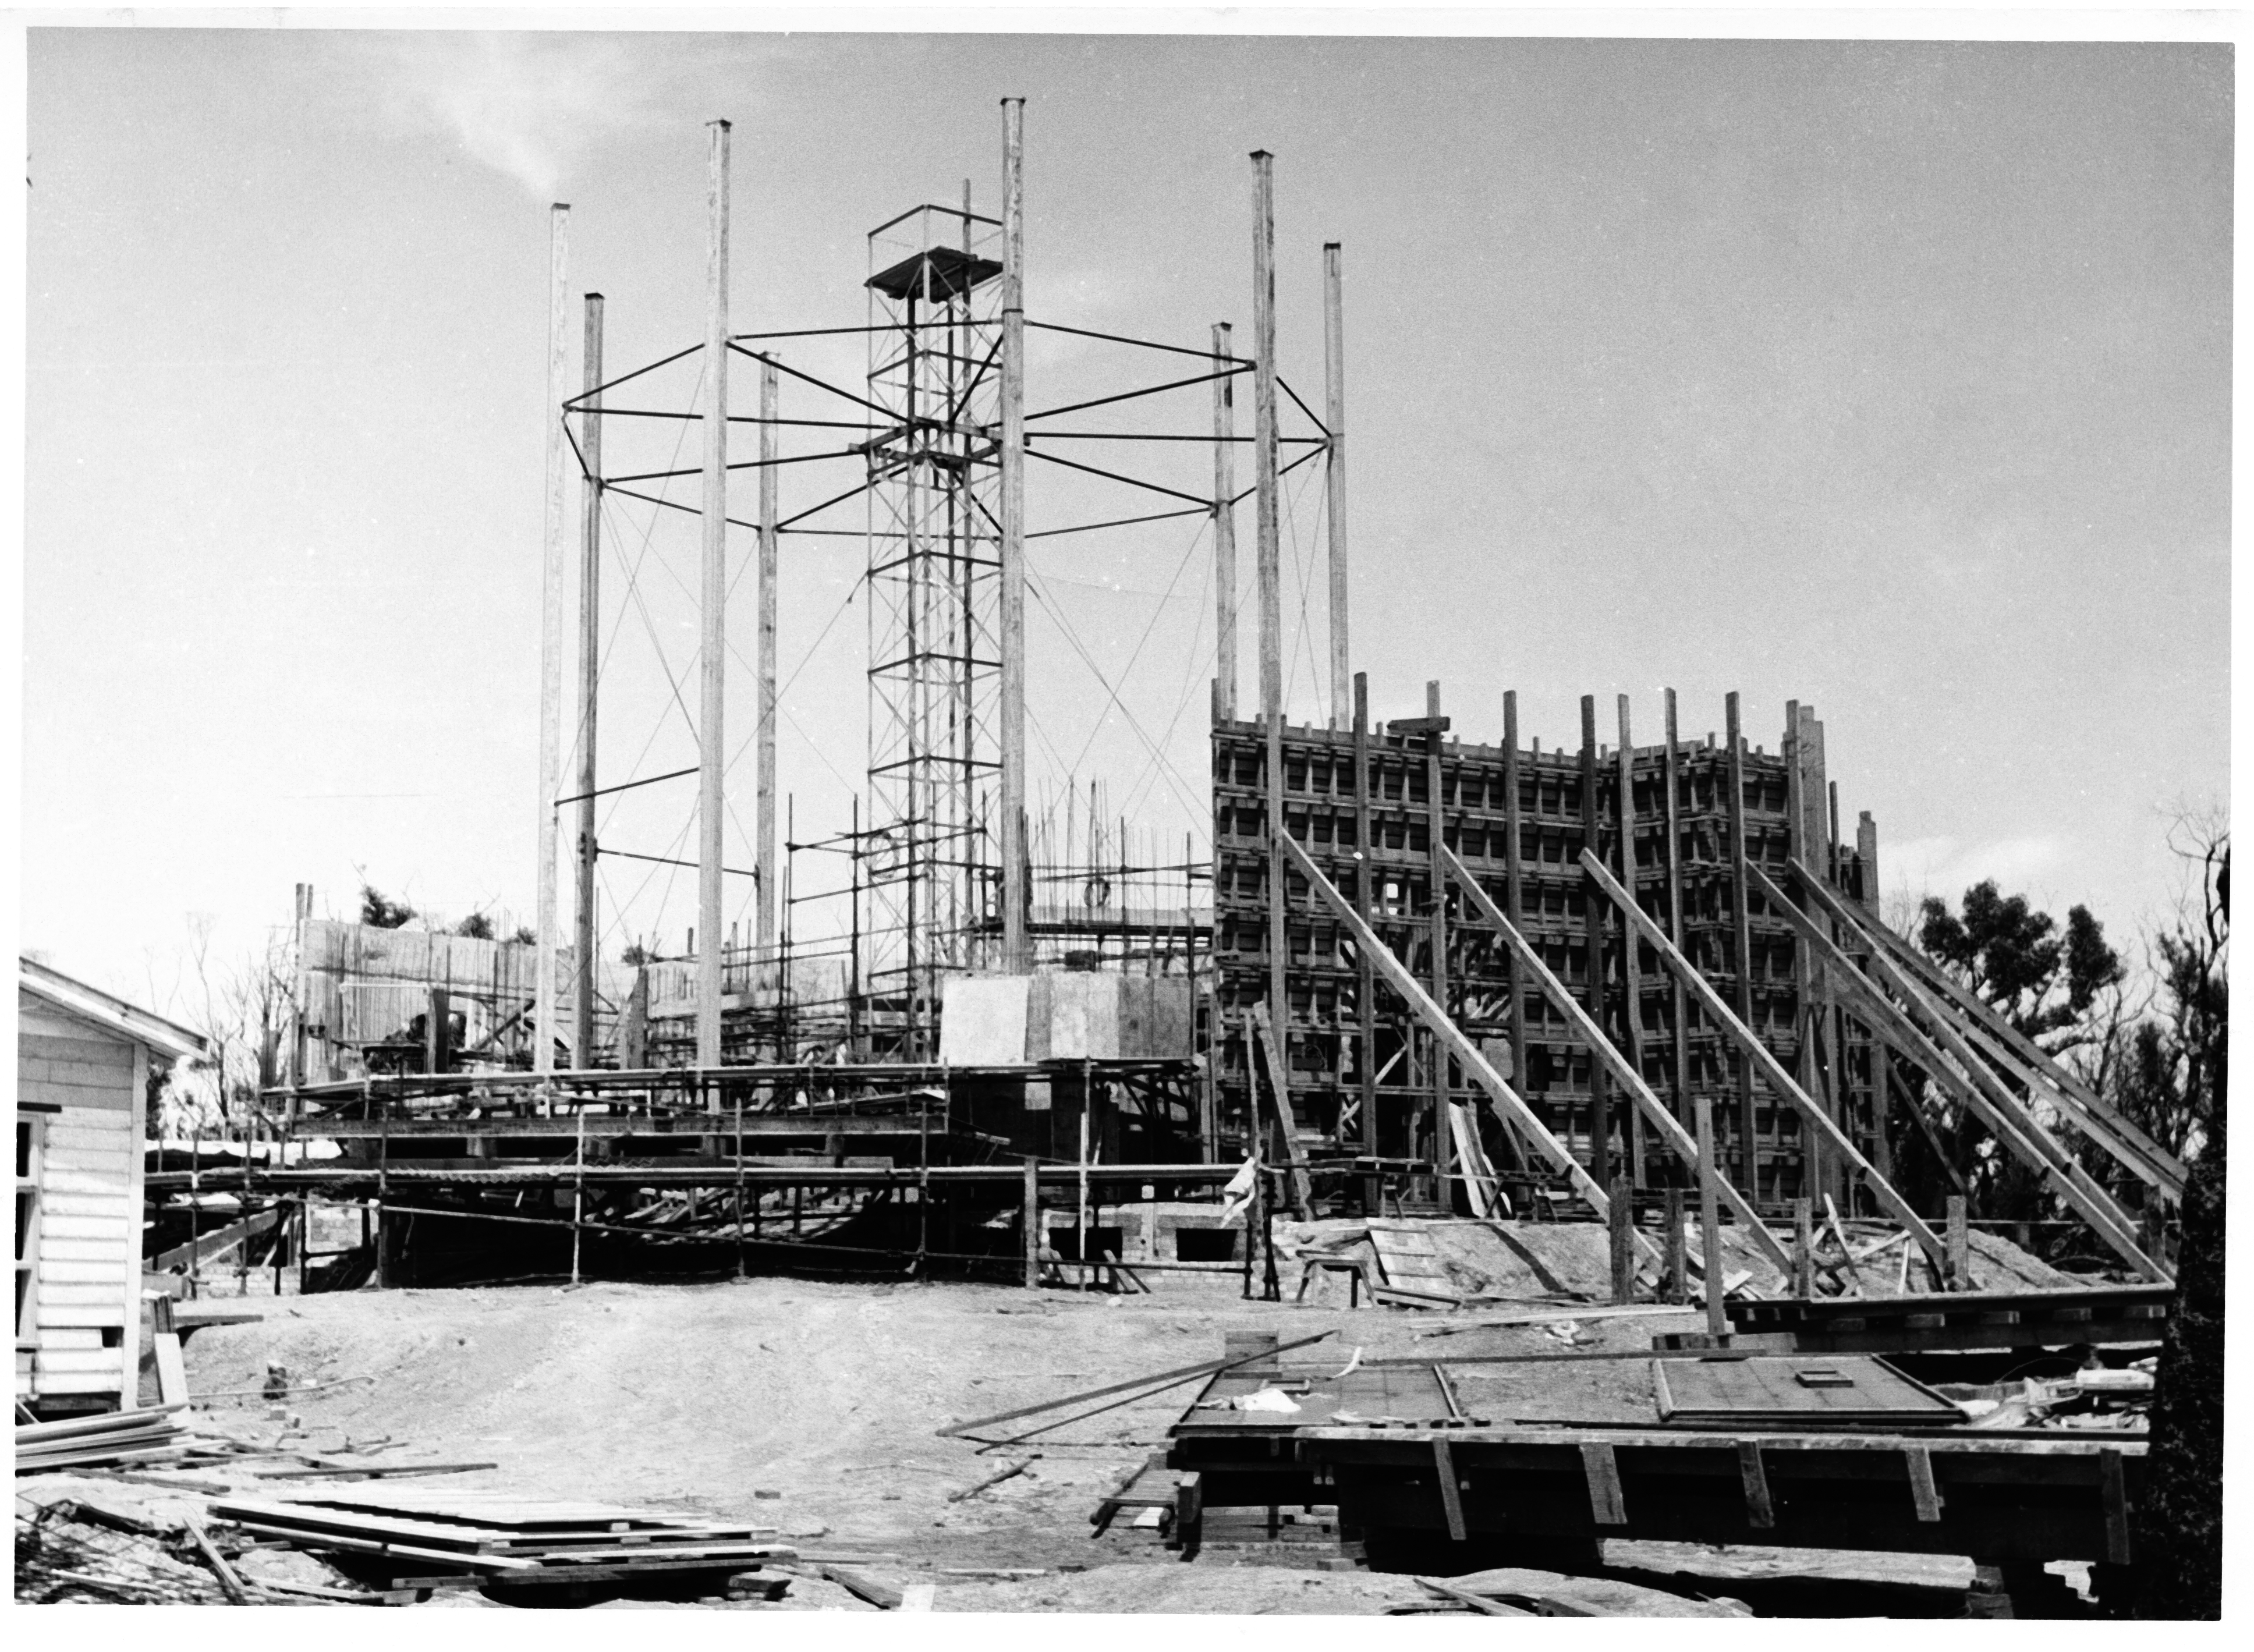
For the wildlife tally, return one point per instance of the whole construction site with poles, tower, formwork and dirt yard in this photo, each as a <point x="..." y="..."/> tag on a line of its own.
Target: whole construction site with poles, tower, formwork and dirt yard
<point x="1455" y="1182"/>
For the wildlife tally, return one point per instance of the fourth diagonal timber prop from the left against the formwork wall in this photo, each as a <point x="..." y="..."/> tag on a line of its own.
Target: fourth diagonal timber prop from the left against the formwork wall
<point x="1973" y="1081"/>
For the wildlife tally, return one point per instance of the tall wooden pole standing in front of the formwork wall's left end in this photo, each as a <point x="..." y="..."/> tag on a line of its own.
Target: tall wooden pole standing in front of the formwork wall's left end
<point x="1270" y="576"/>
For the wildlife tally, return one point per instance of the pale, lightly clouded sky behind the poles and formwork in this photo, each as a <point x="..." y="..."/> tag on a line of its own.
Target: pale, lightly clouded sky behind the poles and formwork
<point x="1883" y="378"/>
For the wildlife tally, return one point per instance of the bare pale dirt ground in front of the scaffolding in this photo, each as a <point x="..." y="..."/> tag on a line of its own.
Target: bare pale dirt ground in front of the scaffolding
<point x="815" y="1407"/>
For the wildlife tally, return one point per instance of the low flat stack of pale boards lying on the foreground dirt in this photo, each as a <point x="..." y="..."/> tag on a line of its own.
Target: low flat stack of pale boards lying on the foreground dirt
<point x="454" y="1540"/>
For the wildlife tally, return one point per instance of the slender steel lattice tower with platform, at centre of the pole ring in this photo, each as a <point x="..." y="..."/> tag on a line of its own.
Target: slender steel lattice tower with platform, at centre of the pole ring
<point x="934" y="576"/>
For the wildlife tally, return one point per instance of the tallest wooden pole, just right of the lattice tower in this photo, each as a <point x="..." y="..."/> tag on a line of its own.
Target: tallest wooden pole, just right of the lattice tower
<point x="1018" y="954"/>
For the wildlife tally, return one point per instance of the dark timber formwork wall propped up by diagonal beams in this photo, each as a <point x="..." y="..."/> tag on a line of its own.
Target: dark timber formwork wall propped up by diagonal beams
<point x="1324" y="1042"/>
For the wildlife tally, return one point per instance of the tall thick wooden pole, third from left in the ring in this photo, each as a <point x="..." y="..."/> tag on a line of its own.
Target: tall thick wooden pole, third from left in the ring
<point x="711" y="808"/>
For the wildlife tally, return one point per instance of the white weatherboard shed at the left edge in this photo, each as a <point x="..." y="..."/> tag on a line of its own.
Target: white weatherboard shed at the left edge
<point x="82" y="1121"/>
